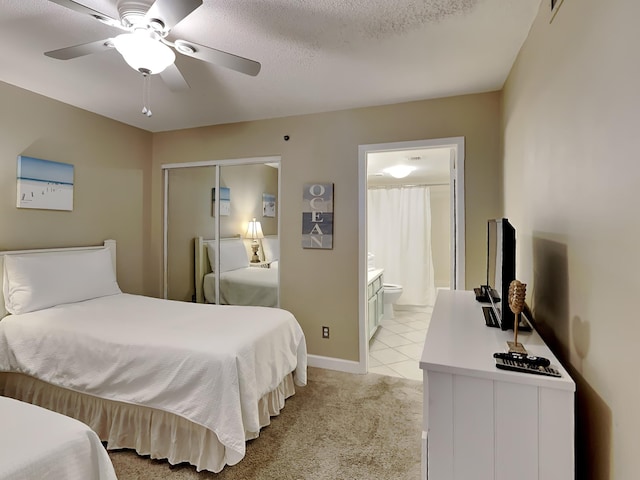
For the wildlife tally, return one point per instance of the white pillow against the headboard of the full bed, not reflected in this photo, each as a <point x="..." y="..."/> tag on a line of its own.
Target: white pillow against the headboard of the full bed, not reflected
<point x="37" y="281"/>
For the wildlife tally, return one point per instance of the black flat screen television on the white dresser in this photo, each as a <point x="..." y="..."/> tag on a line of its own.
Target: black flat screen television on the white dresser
<point x="501" y="267"/>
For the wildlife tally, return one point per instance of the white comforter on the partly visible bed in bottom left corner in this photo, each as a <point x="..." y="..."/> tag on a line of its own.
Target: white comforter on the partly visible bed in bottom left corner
<point x="37" y="443"/>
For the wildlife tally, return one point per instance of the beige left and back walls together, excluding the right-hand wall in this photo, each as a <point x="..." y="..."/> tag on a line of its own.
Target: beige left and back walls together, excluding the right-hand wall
<point x="118" y="194"/>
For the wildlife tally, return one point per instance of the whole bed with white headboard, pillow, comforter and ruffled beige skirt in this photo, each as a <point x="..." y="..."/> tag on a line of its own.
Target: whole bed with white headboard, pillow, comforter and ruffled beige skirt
<point x="183" y="381"/>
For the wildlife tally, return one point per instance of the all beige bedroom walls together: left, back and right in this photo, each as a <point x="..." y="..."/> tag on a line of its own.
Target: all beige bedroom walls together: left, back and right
<point x="570" y="179"/>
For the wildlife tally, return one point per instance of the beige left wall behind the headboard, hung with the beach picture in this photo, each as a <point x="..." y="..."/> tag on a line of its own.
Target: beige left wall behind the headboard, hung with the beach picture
<point x="111" y="180"/>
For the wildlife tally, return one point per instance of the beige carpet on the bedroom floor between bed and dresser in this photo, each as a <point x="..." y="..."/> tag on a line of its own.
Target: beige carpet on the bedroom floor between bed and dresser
<point x="339" y="427"/>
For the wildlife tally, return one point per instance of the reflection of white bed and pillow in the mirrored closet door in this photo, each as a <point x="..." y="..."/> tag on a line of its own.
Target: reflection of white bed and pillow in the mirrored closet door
<point x="241" y="283"/>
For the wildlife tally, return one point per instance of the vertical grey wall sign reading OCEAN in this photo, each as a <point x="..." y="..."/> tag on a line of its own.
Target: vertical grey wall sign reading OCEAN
<point x="317" y="215"/>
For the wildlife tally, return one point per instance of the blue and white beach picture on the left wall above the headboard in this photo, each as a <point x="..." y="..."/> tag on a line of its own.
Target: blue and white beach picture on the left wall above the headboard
<point x="44" y="184"/>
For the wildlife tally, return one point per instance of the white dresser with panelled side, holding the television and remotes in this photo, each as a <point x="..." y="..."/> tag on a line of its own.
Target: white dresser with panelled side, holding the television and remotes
<point x="483" y="423"/>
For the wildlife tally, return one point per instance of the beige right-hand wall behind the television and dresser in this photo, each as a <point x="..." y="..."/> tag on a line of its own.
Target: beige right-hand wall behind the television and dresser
<point x="571" y="184"/>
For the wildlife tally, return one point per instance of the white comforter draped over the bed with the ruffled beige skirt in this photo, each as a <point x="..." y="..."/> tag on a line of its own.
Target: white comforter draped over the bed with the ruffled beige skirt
<point x="210" y="364"/>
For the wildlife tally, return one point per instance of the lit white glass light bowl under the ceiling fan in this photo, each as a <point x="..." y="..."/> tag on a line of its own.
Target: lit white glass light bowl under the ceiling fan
<point x="143" y="51"/>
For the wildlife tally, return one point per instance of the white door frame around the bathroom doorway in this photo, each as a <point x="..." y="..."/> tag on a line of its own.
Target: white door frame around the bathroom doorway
<point x="457" y="261"/>
